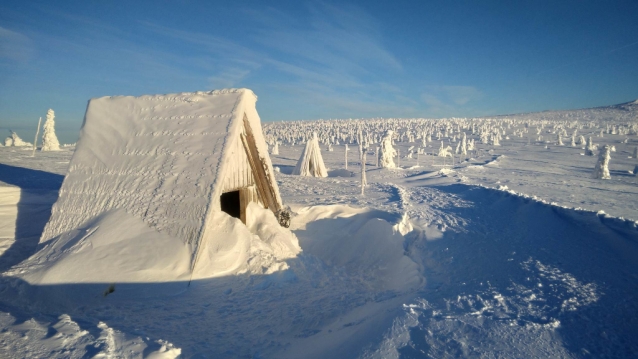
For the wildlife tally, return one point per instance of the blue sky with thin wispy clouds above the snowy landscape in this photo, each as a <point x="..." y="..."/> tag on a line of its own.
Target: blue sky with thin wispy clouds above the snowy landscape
<point x="310" y="60"/>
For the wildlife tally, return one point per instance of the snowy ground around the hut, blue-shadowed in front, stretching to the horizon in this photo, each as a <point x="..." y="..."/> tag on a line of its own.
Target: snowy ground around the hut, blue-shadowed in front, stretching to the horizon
<point x="512" y="251"/>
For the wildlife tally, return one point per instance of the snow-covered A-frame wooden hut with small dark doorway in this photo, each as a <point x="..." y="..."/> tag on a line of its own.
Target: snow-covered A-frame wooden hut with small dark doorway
<point x="172" y="160"/>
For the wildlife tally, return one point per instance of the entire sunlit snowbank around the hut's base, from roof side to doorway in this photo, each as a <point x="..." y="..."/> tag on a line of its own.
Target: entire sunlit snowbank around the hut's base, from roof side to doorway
<point x="117" y="247"/>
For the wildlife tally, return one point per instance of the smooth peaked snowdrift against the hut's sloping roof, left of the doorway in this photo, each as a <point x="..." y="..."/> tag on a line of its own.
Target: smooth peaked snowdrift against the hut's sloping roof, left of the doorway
<point x="113" y="247"/>
